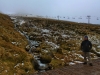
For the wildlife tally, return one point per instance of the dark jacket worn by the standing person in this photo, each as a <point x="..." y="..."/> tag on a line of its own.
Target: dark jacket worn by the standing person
<point x="86" y="46"/>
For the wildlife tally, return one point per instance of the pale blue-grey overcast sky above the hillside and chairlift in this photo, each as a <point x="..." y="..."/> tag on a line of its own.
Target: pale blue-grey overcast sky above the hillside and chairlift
<point x="53" y="8"/>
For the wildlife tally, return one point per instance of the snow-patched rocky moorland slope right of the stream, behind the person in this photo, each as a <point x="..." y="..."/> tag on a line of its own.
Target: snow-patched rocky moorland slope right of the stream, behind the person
<point x="59" y="39"/>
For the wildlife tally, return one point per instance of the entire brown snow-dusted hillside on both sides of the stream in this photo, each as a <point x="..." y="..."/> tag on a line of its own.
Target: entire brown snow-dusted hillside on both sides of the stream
<point x="57" y="42"/>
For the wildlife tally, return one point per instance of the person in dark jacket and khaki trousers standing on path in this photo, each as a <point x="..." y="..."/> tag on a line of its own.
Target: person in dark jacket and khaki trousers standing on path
<point x="86" y="47"/>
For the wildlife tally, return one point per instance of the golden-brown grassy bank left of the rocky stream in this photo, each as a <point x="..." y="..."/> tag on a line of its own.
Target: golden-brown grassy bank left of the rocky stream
<point x="14" y="60"/>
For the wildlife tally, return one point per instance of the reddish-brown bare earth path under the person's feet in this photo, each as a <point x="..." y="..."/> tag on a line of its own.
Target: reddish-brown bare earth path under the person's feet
<point x="78" y="69"/>
